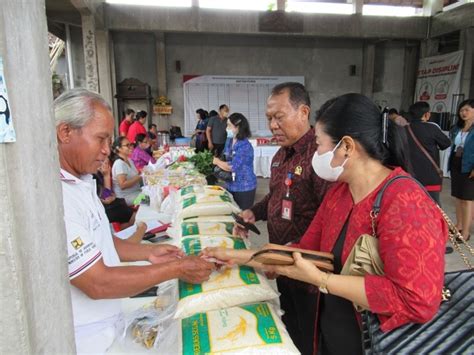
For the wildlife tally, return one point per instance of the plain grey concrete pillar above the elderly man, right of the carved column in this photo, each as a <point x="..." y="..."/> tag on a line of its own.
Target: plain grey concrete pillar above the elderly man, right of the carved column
<point x="103" y="65"/>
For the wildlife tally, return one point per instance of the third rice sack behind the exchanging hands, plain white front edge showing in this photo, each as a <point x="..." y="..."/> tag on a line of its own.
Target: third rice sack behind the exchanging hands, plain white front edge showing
<point x="193" y="206"/>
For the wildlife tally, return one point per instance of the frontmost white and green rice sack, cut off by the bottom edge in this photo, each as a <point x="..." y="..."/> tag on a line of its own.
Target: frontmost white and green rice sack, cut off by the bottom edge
<point x="254" y="329"/>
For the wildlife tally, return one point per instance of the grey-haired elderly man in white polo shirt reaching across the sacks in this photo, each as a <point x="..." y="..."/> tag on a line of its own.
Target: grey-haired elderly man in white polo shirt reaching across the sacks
<point x="84" y="127"/>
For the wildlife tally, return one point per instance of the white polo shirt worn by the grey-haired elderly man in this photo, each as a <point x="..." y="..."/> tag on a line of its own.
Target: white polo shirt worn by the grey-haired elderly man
<point x="88" y="240"/>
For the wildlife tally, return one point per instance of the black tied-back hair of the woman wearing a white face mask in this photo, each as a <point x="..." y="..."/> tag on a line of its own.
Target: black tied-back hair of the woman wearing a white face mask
<point x="355" y="115"/>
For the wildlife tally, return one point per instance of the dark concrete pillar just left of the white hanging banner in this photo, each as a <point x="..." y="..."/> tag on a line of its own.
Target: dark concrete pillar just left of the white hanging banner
<point x="410" y="65"/>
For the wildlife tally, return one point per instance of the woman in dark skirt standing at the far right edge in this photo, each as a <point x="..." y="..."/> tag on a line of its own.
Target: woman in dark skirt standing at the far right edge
<point x="461" y="164"/>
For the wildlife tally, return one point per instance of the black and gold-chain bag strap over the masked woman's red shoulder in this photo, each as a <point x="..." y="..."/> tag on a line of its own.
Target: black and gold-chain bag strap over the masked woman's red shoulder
<point x="453" y="233"/>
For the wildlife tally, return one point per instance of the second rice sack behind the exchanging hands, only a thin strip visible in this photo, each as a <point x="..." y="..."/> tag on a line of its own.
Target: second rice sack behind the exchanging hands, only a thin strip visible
<point x="191" y="229"/>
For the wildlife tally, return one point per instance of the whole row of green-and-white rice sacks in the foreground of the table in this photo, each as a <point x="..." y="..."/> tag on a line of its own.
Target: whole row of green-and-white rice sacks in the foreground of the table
<point x="229" y="312"/>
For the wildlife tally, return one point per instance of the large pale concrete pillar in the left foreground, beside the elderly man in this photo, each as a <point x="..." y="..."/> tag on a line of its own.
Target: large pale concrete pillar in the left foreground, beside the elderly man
<point x="36" y="315"/>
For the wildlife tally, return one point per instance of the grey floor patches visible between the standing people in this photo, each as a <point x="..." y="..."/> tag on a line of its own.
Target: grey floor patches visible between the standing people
<point x="453" y="261"/>
